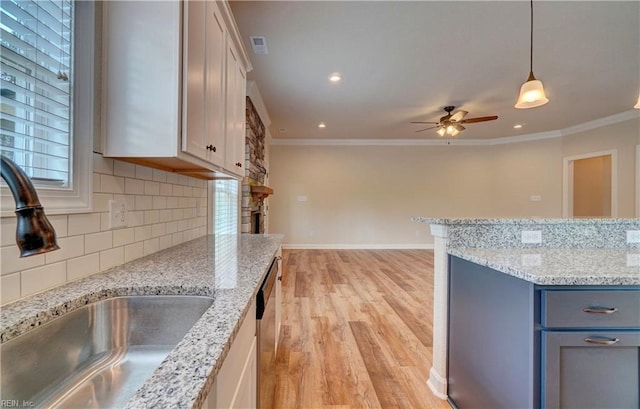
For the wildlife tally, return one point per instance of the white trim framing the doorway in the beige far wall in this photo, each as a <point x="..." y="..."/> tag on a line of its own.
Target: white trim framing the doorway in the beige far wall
<point x="567" y="180"/>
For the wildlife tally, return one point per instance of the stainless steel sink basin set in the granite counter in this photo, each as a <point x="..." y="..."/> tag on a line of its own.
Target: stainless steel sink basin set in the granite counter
<point x="97" y="356"/>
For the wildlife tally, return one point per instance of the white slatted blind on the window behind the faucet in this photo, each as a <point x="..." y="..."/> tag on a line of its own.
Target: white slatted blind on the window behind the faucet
<point x="36" y="88"/>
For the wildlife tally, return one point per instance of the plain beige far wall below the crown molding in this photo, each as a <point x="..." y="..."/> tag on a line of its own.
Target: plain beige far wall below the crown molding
<point x="364" y="196"/>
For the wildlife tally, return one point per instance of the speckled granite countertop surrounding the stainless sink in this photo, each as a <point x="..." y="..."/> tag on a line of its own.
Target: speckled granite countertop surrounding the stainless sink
<point x="227" y="268"/>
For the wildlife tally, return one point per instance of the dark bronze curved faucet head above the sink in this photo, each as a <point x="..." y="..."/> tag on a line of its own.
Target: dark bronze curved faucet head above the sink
<point x="34" y="232"/>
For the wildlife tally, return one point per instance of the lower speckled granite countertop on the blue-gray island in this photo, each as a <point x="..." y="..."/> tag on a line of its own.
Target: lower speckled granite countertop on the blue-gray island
<point x="559" y="266"/>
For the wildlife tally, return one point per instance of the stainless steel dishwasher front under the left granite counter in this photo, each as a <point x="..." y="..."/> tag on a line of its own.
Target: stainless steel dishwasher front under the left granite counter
<point x="266" y="332"/>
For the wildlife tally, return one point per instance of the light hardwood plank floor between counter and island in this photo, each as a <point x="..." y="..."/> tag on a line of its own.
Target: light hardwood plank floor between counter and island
<point x="356" y="330"/>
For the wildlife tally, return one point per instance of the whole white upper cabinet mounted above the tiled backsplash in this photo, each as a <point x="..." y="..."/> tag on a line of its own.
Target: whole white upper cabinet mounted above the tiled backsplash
<point x="166" y="85"/>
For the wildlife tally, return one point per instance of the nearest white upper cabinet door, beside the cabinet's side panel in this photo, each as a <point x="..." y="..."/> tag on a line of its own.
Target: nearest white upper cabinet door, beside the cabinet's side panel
<point x="194" y="140"/>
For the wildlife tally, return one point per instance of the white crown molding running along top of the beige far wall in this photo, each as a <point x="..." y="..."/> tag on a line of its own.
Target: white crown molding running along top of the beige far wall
<point x="586" y="126"/>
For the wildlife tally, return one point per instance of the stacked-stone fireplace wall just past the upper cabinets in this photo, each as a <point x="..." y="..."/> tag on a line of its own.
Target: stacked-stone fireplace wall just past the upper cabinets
<point x="255" y="169"/>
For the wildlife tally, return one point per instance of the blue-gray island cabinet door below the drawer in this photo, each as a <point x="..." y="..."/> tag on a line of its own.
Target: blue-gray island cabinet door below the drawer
<point x="591" y="370"/>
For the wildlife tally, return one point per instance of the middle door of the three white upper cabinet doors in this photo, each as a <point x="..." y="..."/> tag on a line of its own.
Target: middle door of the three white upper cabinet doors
<point x="215" y="108"/>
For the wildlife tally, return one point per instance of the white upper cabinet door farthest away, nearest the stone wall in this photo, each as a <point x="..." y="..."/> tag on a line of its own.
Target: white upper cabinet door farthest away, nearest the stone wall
<point x="236" y="117"/>
